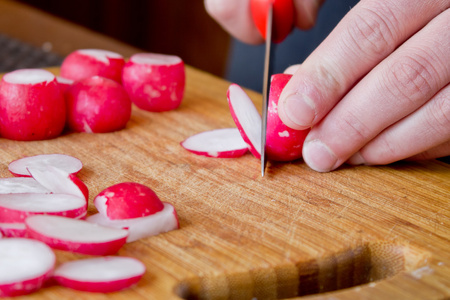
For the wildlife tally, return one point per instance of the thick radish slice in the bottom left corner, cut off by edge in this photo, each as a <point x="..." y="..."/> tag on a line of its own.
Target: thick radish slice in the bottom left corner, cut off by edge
<point x="25" y="265"/>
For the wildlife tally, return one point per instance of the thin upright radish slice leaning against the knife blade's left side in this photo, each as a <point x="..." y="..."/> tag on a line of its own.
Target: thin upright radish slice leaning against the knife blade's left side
<point x="246" y="117"/>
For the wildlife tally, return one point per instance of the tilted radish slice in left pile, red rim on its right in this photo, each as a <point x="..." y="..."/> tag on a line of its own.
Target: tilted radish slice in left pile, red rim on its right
<point x="59" y="181"/>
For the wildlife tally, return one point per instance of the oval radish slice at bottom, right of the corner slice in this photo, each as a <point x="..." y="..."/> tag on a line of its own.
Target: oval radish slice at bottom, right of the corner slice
<point x="100" y="274"/>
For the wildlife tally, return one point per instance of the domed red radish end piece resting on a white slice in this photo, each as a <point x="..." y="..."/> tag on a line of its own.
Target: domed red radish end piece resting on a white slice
<point x="127" y="200"/>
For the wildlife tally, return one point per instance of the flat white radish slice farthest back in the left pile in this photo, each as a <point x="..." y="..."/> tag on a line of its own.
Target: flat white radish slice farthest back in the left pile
<point x="67" y="163"/>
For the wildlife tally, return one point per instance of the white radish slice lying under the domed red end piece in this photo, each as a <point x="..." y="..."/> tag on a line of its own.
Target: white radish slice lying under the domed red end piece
<point x="138" y="228"/>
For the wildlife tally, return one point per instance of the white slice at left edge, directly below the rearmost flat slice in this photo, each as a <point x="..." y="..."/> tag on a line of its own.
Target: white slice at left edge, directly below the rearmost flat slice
<point x="15" y="185"/>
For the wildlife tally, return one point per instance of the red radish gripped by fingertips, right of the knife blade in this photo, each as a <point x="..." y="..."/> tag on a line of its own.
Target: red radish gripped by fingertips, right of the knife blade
<point x="282" y="143"/>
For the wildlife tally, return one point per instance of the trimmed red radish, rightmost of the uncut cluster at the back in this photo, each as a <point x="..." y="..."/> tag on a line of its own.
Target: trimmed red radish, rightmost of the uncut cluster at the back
<point x="154" y="82"/>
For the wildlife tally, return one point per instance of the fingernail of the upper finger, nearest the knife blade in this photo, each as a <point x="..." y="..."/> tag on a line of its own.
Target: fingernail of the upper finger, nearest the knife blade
<point x="300" y="110"/>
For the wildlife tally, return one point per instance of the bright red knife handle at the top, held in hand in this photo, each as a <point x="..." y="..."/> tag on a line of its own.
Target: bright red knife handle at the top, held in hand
<point x="283" y="17"/>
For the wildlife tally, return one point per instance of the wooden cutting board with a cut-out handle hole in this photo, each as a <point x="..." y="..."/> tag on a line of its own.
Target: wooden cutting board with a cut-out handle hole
<point x="355" y="233"/>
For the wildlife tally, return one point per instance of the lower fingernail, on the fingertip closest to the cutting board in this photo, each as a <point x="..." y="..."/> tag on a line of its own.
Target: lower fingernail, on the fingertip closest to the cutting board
<point x="319" y="156"/>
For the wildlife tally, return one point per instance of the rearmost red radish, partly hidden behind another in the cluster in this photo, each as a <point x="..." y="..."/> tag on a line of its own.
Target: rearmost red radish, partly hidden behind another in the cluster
<point x="84" y="63"/>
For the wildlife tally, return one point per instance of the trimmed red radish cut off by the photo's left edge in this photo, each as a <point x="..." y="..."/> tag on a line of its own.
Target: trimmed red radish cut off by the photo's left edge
<point x="32" y="105"/>
